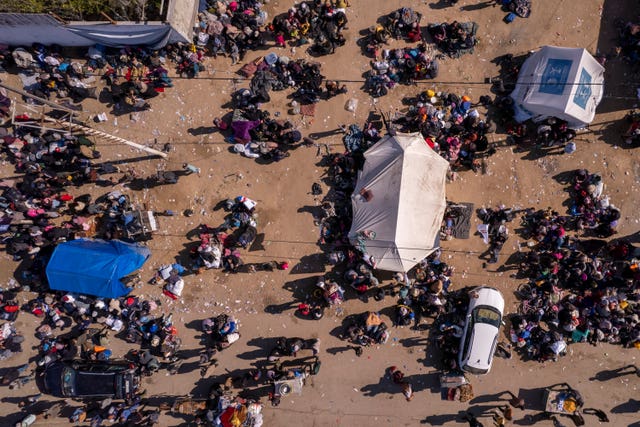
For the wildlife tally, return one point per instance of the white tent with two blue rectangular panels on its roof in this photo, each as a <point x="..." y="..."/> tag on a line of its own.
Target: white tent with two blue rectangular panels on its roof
<point x="561" y="82"/>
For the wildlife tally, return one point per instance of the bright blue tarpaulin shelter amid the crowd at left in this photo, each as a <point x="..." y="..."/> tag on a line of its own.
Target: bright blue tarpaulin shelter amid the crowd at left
<point x="94" y="267"/>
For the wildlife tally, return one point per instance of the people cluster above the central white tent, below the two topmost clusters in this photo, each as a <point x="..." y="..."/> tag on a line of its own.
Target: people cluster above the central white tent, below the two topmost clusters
<point x="400" y="66"/>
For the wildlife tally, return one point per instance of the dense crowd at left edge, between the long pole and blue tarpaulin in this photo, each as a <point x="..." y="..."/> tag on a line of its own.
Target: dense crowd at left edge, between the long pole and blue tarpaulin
<point x="50" y="162"/>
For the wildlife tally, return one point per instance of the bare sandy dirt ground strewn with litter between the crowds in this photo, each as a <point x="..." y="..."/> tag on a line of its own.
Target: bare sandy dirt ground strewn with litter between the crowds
<point x="353" y="391"/>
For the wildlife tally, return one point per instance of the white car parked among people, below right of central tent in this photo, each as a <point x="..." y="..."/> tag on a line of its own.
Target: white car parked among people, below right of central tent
<point x="481" y="329"/>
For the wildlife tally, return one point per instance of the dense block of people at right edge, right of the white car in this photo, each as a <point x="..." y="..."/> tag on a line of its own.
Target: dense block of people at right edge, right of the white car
<point x="579" y="293"/>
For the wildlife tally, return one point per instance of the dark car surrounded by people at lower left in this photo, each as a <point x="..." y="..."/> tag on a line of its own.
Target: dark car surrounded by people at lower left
<point x="80" y="379"/>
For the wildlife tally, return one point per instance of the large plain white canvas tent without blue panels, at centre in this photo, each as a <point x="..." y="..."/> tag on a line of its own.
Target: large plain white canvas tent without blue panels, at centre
<point x="399" y="202"/>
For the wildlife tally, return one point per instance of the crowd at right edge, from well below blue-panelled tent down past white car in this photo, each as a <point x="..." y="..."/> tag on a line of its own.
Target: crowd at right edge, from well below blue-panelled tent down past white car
<point x="585" y="288"/>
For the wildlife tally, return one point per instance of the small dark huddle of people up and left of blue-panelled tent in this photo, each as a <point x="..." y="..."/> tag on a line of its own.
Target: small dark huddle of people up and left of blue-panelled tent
<point x="454" y="39"/>
